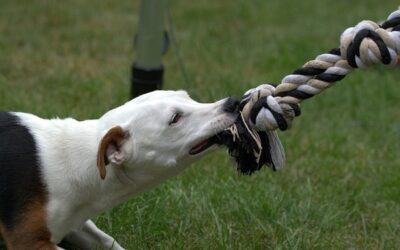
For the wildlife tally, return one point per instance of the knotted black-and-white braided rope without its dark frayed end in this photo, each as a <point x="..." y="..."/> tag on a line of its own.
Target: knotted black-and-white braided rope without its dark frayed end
<point x="268" y="108"/>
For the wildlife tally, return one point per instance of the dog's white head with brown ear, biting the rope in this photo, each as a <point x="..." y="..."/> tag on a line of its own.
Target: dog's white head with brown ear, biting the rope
<point x="161" y="130"/>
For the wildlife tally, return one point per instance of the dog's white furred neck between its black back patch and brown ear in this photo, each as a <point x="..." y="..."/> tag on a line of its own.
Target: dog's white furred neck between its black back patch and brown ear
<point x="76" y="190"/>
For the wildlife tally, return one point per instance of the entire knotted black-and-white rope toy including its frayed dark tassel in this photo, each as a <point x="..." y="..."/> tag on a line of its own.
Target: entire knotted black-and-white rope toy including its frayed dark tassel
<point x="252" y="140"/>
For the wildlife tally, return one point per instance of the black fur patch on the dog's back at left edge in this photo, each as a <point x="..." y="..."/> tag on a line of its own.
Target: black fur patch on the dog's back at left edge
<point x="20" y="181"/>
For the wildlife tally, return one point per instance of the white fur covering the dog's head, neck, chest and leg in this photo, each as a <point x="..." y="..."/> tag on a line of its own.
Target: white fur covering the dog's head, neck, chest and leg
<point x="153" y="152"/>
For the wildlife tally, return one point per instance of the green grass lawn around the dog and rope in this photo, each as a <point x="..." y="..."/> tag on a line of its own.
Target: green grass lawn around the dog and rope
<point x="341" y="186"/>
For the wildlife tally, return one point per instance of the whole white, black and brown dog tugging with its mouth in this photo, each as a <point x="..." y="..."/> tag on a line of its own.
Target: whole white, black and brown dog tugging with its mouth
<point x="57" y="174"/>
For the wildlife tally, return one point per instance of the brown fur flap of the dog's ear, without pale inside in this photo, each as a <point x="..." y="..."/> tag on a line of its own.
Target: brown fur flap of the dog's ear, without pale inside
<point x="109" y="145"/>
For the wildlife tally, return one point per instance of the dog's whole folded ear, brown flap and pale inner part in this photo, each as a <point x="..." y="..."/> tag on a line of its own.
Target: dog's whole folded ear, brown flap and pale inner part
<point x="110" y="149"/>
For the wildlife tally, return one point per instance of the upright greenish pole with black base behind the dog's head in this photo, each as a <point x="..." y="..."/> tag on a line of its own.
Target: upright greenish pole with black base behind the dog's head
<point x="150" y="44"/>
